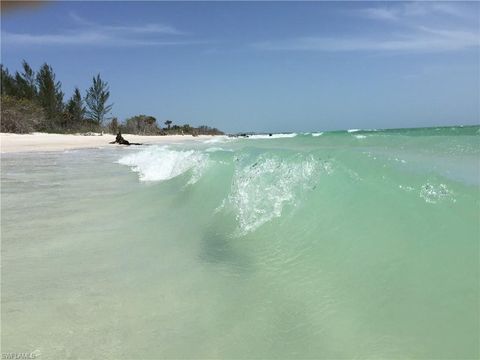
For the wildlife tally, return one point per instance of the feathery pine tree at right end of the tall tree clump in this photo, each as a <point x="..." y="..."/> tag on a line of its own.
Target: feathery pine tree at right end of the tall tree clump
<point x="96" y="100"/>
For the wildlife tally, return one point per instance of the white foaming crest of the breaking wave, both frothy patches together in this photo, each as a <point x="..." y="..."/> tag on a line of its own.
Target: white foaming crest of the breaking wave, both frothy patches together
<point x="261" y="185"/>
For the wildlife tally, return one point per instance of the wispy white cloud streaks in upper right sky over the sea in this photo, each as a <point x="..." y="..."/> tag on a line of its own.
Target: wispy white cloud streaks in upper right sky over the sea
<point x="405" y="31"/>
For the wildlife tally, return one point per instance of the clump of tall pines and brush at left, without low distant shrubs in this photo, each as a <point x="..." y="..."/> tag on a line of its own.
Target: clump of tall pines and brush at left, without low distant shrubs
<point x="34" y="101"/>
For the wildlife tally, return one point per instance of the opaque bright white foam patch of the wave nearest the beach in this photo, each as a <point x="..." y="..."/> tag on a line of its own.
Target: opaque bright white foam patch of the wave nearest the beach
<point x="160" y="163"/>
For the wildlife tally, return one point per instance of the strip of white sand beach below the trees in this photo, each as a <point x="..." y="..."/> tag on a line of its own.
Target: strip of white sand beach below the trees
<point x="58" y="142"/>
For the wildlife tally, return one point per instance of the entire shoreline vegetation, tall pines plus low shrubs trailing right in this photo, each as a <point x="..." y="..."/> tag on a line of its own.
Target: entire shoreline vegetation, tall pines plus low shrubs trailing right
<point x="34" y="101"/>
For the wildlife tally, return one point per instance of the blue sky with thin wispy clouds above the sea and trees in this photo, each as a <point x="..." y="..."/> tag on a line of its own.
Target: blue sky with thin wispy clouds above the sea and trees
<point x="262" y="66"/>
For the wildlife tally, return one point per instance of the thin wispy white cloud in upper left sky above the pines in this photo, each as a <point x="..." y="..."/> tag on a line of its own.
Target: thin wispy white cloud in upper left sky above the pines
<point x="89" y="33"/>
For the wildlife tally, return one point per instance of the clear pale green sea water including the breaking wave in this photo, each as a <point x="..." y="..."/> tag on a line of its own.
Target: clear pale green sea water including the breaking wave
<point x="358" y="245"/>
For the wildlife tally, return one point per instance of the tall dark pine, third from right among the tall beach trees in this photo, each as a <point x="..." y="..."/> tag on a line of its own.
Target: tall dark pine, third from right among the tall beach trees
<point x="50" y="95"/>
